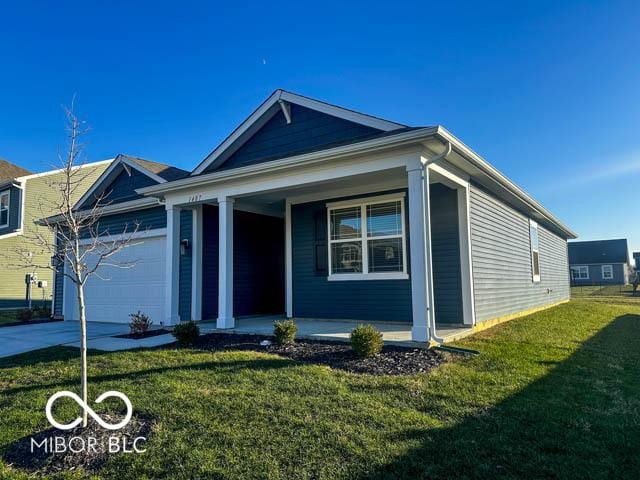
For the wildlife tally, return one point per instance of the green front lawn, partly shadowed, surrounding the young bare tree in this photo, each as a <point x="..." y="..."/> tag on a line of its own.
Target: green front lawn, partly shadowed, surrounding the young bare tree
<point x="553" y="395"/>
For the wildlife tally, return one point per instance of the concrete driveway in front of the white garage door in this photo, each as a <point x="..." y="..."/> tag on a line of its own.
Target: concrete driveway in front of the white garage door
<point x="25" y="338"/>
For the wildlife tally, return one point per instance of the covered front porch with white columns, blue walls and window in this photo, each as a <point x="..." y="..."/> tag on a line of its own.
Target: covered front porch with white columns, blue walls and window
<point x="382" y="241"/>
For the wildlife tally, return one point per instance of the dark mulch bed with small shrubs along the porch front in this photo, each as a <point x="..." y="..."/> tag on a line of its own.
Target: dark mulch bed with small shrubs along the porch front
<point x="393" y="360"/>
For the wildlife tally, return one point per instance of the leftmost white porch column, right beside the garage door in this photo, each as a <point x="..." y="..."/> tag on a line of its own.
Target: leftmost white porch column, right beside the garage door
<point x="172" y="266"/>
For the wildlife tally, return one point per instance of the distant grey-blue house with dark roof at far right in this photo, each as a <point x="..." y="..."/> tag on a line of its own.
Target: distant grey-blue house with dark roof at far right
<point x="599" y="262"/>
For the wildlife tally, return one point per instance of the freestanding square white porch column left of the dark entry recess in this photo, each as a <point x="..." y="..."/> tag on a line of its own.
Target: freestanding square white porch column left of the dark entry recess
<point x="225" y="264"/>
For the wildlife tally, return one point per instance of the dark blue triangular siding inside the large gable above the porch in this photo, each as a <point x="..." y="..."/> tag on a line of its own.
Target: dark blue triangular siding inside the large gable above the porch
<point x="309" y="130"/>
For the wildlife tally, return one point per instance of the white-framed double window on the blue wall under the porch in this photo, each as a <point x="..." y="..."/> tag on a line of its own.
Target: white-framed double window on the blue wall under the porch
<point x="367" y="239"/>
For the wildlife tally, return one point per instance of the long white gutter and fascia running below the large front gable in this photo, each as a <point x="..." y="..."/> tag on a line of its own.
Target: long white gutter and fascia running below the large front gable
<point x="289" y="162"/>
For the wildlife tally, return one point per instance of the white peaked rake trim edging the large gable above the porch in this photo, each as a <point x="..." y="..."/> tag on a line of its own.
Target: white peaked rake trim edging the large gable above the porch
<point x="281" y="95"/>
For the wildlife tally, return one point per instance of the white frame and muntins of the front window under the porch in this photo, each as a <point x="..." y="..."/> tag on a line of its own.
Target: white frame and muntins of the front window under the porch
<point x="365" y="274"/>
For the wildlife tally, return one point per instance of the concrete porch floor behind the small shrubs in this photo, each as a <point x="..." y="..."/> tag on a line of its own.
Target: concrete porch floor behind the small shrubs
<point x="393" y="333"/>
